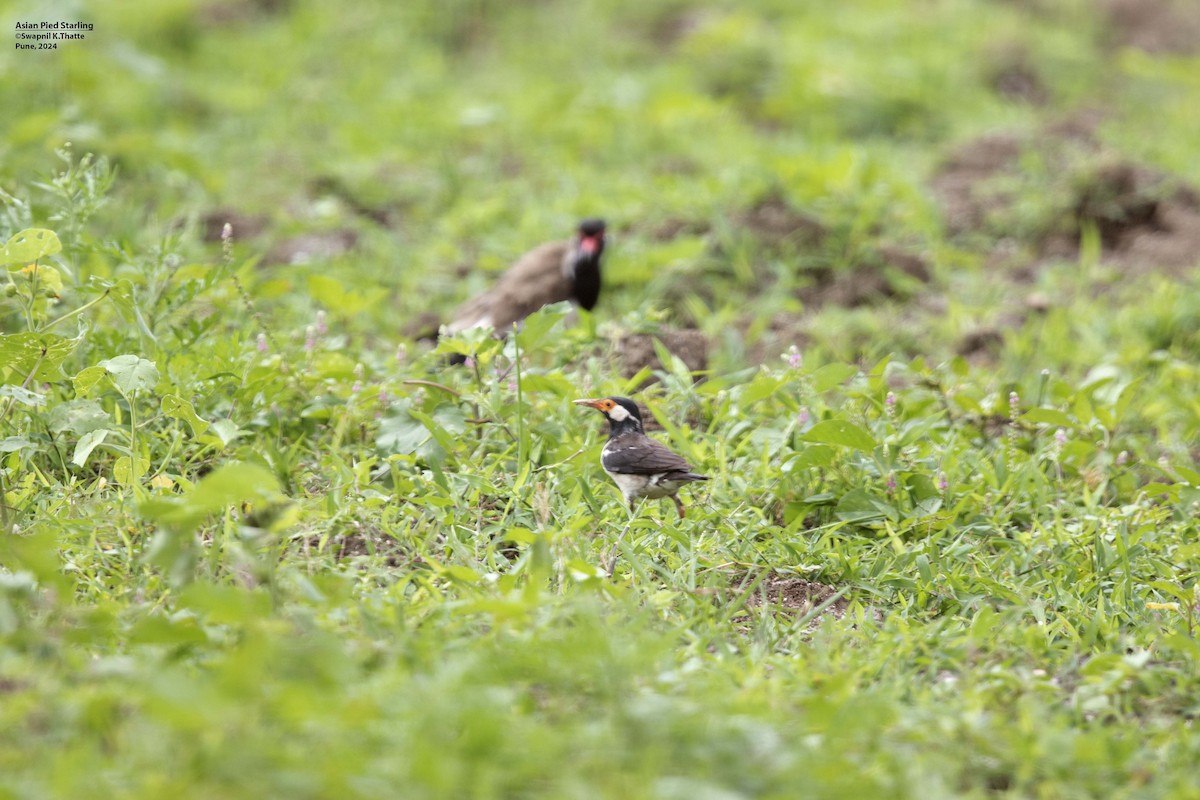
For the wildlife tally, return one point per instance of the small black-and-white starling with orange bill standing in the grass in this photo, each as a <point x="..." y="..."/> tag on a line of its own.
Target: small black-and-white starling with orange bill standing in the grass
<point x="641" y="467"/>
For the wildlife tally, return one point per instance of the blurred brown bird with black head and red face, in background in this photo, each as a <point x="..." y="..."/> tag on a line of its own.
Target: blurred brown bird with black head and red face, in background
<point x="549" y="274"/>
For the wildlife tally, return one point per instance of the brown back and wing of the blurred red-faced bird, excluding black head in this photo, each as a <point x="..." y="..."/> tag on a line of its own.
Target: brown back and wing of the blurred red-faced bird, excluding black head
<point x="537" y="280"/>
